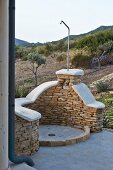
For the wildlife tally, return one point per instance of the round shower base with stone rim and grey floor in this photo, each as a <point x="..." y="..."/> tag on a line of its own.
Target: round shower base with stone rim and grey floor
<point x="56" y="135"/>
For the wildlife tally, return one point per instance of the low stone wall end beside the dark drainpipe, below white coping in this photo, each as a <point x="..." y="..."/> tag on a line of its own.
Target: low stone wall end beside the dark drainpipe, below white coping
<point x="26" y="136"/>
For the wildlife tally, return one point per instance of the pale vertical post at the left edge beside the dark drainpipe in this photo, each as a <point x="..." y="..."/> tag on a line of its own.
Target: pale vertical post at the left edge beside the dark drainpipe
<point x="3" y="84"/>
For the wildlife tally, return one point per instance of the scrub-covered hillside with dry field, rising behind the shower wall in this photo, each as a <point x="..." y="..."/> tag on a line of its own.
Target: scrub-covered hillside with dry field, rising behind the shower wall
<point x="82" y="51"/>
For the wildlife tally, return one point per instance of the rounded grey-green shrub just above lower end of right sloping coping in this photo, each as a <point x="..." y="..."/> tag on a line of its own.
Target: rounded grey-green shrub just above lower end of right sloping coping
<point x="102" y="86"/>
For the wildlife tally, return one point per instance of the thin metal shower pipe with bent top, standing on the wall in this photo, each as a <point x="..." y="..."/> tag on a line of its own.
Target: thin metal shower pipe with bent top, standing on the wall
<point x="68" y="58"/>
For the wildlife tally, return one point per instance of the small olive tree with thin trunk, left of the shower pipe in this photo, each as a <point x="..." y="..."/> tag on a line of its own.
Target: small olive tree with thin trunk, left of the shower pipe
<point x="36" y="61"/>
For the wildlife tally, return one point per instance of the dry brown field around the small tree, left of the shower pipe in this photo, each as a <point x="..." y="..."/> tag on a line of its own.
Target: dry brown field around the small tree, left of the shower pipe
<point x="45" y="72"/>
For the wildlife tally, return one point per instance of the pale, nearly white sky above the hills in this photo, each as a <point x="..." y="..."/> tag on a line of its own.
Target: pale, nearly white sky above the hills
<point x="39" y="20"/>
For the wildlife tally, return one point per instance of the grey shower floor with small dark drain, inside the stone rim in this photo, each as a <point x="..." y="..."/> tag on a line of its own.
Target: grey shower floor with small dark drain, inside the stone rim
<point x="60" y="132"/>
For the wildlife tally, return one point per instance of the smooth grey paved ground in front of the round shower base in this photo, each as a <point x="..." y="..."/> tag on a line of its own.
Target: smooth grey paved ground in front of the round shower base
<point x="93" y="154"/>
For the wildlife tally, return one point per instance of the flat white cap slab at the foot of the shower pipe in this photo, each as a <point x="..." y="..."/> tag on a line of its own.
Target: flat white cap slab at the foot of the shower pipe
<point x="72" y="72"/>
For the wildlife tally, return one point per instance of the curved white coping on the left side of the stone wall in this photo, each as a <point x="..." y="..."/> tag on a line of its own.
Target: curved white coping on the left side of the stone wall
<point x="28" y="114"/>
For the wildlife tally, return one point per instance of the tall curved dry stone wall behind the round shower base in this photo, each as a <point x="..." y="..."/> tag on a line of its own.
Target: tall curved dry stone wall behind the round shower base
<point x="60" y="105"/>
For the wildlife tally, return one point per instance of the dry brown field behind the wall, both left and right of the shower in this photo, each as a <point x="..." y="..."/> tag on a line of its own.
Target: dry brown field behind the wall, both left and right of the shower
<point x="47" y="72"/>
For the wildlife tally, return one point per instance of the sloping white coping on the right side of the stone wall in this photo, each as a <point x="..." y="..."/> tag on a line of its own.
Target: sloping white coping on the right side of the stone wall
<point x="85" y="94"/>
